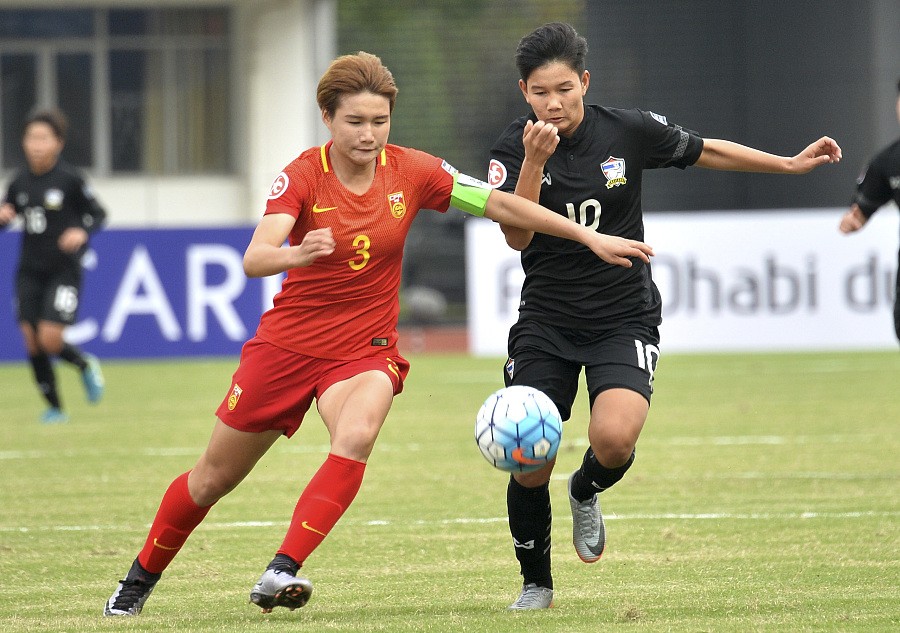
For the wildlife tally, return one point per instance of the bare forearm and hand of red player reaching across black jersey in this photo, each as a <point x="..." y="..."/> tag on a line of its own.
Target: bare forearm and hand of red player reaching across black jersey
<point x="512" y="210"/>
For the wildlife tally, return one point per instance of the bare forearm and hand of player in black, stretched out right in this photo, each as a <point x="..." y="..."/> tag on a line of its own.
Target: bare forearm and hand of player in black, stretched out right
<point x="729" y="156"/>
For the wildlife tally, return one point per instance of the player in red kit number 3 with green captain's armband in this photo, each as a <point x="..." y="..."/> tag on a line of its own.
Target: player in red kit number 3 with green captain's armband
<point x="345" y="208"/>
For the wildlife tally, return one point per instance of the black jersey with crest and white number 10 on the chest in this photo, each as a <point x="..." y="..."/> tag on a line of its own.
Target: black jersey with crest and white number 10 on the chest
<point x="593" y="178"/>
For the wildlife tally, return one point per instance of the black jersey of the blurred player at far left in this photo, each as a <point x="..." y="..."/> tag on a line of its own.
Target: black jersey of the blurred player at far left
<point x="49" y="204"/>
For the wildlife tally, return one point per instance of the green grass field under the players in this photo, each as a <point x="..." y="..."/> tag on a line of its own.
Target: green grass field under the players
<point x="765" y="497"/>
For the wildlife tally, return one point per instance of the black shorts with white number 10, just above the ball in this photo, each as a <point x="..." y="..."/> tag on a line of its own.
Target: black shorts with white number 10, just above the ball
<point x="550" y="358"/>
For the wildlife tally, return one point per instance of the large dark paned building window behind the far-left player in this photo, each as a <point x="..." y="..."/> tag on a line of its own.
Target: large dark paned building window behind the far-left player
<point x="145" y="90"/>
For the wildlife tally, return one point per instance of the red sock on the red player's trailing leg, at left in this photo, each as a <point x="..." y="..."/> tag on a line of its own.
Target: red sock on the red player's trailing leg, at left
<point x="176" y="518"/>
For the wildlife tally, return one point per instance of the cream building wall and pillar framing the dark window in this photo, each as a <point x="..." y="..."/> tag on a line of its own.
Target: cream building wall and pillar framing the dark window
<point x="278" y="51"/>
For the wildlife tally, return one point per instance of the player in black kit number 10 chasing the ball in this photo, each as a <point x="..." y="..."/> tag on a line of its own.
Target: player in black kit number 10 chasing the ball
<point x="586" y="162"/>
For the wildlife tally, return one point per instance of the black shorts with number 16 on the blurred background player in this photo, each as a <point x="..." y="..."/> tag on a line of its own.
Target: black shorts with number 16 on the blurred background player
<point x="48" y="295"/>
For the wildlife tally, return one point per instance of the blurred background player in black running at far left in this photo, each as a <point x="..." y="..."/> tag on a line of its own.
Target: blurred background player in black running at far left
<point x="59" y="213"/>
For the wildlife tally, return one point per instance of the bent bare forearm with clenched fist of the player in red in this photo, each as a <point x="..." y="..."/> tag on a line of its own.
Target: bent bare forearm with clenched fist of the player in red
<point x="266" y="255"/>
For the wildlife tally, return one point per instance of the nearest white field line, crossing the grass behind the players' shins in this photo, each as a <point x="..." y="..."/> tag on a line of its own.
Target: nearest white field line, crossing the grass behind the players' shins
<point x="707" y="516"/>
